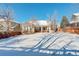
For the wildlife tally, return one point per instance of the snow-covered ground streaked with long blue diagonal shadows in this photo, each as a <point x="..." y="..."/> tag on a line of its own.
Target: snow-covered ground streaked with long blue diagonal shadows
<point x="23" y="44"/>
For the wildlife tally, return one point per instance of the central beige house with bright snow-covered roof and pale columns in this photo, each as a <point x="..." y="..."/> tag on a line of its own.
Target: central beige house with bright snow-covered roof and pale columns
<point x="37" y="26"/>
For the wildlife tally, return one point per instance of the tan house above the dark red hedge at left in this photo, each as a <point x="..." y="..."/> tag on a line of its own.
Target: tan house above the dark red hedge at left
<point x="11" y="26"/>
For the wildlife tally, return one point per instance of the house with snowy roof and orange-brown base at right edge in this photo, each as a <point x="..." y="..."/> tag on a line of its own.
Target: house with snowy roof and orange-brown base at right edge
<point x="74" y="24"/>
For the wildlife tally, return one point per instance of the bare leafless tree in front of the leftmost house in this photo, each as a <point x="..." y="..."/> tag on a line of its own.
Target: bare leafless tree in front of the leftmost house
<point x="6" y="14"/>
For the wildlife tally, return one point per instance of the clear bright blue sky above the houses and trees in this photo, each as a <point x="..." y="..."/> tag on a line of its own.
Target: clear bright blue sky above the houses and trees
<point x="25" y="11"/>
